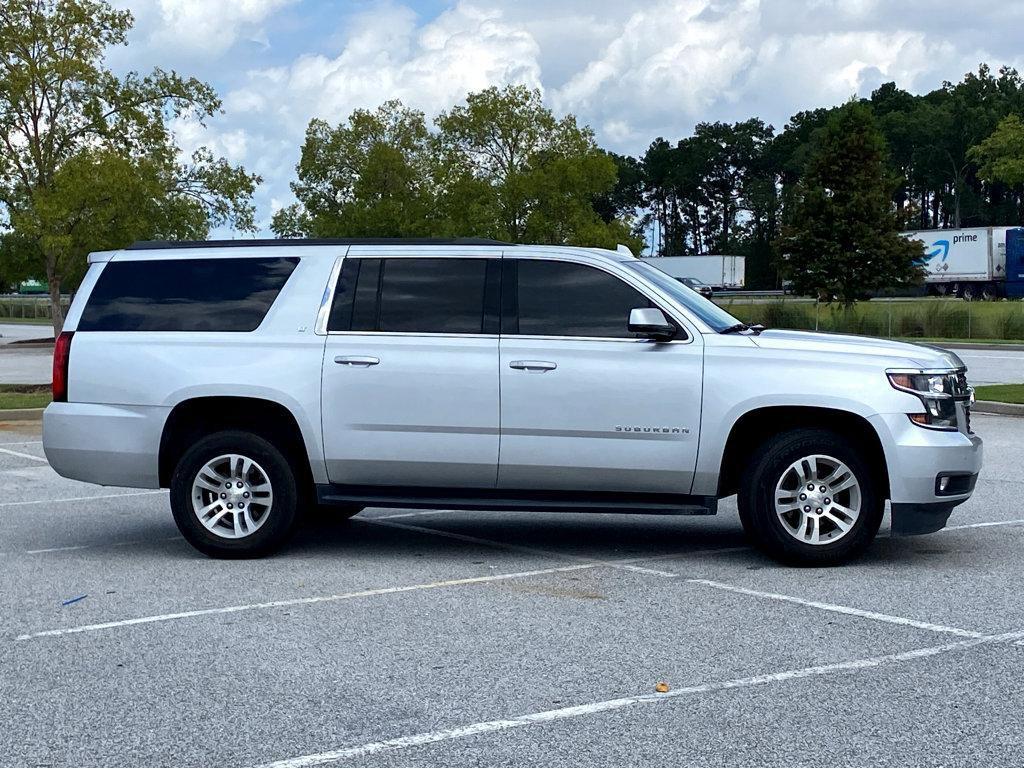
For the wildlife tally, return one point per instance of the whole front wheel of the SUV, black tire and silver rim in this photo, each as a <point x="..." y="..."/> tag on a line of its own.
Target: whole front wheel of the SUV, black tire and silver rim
<point x="810" y="499"/>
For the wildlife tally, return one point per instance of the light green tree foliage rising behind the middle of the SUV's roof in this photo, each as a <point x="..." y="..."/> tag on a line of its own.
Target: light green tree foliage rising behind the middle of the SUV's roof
<point x="500" y="166"/>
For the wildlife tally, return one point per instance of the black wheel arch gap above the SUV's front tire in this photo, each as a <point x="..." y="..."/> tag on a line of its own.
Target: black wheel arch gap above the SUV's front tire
<point x="757" y="425"/>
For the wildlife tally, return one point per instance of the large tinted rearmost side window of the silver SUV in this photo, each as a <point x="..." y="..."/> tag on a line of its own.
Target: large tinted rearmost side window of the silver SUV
<point x="230" y="294"/>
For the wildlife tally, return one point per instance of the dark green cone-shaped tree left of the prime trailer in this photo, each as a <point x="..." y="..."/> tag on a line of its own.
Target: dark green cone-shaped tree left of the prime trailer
<point x="841" y="239"/>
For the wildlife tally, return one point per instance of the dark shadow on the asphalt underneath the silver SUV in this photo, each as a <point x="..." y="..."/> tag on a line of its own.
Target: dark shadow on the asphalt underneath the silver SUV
<point x="455" y="536"/>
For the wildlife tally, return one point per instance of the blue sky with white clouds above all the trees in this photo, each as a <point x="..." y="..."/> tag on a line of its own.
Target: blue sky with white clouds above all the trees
<point x="633" y="71"/>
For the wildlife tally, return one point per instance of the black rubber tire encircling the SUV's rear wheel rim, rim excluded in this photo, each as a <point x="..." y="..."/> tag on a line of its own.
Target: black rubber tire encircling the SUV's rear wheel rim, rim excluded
<point x="273" y="533"/>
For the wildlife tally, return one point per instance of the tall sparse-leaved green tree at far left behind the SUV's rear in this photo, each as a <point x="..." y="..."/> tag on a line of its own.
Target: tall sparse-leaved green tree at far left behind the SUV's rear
<point x="72" y="134"/>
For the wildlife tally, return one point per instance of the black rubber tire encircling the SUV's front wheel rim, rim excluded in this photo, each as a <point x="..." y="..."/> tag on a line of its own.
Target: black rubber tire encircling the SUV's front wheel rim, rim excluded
<point x="757" y="499"/>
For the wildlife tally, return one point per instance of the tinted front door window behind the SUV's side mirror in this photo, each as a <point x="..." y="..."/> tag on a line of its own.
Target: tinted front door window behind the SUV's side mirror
<point x="573" y="301"/>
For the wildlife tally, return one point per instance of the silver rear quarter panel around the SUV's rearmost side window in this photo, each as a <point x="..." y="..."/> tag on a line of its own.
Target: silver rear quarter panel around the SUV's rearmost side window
<point x="281" y="361"/>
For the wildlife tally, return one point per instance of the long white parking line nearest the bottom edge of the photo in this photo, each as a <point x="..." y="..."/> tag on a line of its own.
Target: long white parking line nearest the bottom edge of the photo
<point x="590" y="709"/>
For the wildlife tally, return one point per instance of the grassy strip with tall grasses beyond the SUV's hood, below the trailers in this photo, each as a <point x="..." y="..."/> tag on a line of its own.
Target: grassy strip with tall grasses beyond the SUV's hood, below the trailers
<point x="910" y="319"/>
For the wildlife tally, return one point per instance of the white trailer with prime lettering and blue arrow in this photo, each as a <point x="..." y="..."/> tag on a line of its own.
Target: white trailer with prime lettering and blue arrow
<point x="970" y="263"/>
